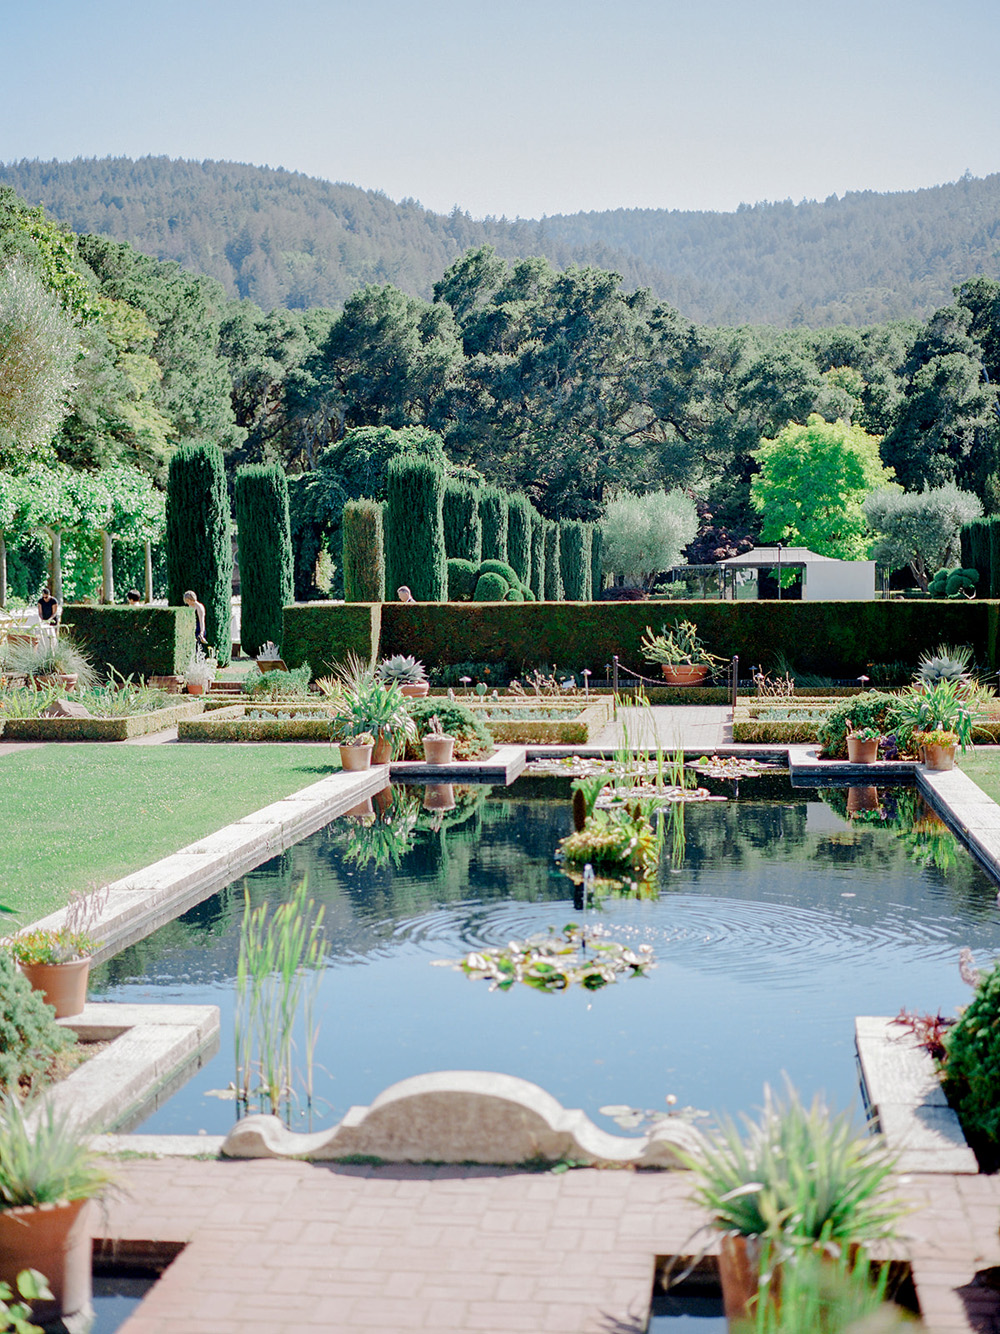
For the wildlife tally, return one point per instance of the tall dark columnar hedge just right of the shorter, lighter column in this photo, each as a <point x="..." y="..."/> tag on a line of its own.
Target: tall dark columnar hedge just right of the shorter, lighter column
<point x="415" y="530"/>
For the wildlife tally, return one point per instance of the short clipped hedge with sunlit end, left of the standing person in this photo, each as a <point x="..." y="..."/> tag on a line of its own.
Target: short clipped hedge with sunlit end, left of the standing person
<point x="135" y="641"/>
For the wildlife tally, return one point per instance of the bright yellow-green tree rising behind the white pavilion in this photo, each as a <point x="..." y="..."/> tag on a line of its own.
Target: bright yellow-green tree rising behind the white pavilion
<point x="813" y="484"/>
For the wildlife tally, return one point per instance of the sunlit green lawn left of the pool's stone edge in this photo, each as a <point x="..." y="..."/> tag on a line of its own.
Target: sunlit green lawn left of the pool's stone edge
<point x="82" y="816"/>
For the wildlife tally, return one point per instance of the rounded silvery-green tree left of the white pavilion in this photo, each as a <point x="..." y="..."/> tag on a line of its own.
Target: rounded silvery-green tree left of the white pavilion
<point x="643" y="536"/>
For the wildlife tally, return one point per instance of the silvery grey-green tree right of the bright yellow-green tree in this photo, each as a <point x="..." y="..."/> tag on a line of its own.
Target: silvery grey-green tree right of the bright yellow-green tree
<point x="921" y="529"/>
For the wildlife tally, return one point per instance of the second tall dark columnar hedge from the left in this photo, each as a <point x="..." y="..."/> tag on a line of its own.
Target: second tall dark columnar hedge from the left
<point x="265" y="541"/>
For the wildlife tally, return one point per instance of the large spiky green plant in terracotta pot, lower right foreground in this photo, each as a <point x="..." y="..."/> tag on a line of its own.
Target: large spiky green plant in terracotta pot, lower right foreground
<point x="799" y="1180"/>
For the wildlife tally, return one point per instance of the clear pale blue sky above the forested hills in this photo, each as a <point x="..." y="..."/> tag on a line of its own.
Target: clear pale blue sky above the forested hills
<point x="519" y="107"/>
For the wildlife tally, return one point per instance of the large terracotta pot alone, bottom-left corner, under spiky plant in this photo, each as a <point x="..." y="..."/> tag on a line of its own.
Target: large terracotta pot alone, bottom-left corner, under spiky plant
<point x="57" y="1241"/>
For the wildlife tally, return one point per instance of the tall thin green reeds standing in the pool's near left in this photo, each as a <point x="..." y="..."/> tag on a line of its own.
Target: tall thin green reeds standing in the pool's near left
<point x="278" y="977"/>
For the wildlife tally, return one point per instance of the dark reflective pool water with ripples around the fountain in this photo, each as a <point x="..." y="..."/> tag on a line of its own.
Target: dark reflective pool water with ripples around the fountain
<point x="781" y="918"/>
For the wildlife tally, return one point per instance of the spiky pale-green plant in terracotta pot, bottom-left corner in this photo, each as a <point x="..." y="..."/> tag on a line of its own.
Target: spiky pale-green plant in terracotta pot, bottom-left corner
<point x="49" y="1175"/>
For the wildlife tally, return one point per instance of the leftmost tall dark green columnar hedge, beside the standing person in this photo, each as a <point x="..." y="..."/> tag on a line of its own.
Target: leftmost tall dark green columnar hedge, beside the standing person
<point x="199" y="542"/>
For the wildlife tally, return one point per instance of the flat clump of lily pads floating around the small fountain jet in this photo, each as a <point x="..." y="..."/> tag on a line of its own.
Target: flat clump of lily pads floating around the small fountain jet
<point x="558" y="960"/>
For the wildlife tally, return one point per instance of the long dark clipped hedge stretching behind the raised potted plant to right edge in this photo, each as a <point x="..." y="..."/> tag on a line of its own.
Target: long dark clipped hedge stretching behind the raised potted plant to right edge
<point x="833" y="638"/>
